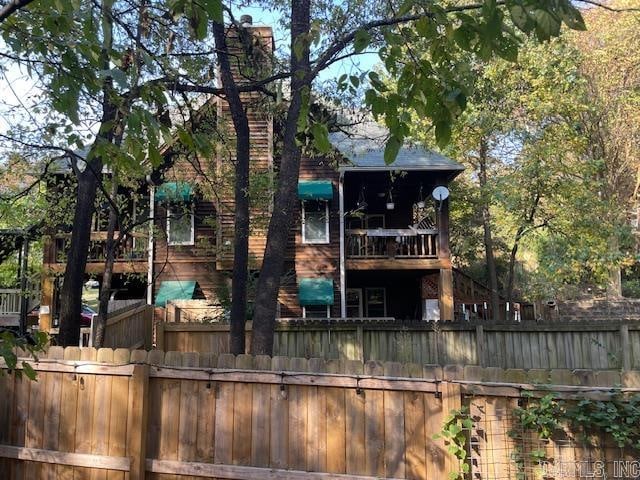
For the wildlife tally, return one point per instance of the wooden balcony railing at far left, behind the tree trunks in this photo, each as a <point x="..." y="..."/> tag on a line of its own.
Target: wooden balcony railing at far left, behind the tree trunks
<point x="133" y="248"/>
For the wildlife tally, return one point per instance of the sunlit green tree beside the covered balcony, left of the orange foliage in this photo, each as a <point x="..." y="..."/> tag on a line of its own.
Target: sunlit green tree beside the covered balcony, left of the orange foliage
<point x="522" y="146"/>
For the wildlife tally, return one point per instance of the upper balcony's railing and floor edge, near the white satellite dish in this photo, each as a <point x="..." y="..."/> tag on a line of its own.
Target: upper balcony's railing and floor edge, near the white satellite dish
<point x="392" y="248"/>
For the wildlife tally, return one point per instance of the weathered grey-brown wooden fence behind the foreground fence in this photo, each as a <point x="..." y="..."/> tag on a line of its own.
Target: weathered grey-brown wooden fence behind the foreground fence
<point x="577" y="345"/>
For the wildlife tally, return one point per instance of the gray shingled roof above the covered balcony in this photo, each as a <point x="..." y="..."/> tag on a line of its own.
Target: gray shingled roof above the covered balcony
<point x="363" y="146"/>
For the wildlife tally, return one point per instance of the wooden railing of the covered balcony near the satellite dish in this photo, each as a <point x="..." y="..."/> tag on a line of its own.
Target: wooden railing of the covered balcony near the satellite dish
<point x="392" y="243"/>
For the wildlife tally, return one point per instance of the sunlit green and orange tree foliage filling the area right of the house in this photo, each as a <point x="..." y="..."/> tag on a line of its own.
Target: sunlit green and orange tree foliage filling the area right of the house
<point x="558" y="135"/>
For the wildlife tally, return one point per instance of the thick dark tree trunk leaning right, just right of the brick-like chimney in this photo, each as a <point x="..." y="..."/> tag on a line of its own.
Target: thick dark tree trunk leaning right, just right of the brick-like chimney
<point x="285" y="197"/>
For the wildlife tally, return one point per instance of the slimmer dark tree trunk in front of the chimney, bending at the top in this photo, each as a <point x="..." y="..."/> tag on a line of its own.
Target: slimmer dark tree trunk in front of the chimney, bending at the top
<point x="241" y="196"/>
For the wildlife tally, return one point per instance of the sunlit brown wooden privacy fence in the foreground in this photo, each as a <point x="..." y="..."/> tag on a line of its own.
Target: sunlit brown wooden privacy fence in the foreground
<point x="121" y="414"/>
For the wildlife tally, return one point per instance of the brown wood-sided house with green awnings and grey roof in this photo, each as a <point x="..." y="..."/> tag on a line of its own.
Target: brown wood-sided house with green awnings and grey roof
<point x="368" y="240"/>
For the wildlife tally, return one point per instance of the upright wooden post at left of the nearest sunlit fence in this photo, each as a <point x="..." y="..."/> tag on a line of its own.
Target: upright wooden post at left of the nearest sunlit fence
<point x="137" y="421"/>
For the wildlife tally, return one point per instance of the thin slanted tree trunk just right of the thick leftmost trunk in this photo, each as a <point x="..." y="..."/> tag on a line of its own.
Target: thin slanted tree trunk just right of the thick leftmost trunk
<point x="100" y="322"/>
